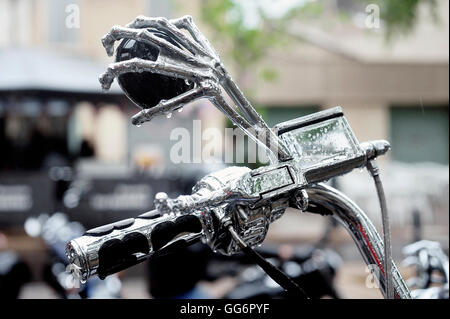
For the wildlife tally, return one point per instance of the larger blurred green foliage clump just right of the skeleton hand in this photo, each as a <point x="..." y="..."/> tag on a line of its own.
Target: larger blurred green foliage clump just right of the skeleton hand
<point x="244" y="39"/>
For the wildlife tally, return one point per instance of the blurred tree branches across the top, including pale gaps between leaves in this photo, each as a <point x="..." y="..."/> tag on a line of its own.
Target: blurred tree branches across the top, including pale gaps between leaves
<point x="247" y="29"/>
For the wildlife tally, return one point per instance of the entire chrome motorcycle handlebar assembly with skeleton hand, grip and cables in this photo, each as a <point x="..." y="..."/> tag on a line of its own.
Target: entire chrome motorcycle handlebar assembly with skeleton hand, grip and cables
<point x="161" y="69"/>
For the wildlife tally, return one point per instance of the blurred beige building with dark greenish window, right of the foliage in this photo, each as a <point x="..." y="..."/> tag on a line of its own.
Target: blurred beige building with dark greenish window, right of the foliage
<point x="397" y="91"/>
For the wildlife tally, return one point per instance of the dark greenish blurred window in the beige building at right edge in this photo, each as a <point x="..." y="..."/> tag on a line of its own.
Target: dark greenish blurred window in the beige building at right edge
<point x="420" y="134"/>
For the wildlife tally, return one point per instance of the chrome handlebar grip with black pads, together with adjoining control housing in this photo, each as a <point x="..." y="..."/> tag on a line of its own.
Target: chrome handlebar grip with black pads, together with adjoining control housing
<point x="220" y="199"/>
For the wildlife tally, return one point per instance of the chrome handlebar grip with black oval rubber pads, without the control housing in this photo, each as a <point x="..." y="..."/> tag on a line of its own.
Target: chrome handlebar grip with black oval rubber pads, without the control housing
<point x="114" y="247"/>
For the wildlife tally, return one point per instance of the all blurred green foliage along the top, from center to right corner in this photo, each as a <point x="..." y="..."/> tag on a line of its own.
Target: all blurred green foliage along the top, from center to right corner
<point x="245" y="47"/>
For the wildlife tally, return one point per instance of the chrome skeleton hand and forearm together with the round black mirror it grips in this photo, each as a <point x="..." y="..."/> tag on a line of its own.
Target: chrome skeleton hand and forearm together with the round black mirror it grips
<point x="162" y="68"/>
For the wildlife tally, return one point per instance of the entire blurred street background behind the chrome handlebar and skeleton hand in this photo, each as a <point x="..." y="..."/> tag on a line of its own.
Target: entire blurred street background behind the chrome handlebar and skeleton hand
<point x="69" y="148"/>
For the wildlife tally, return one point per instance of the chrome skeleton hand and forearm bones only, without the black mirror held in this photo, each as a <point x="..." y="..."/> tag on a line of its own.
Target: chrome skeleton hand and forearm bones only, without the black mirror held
<point x="193" y="59"/>
